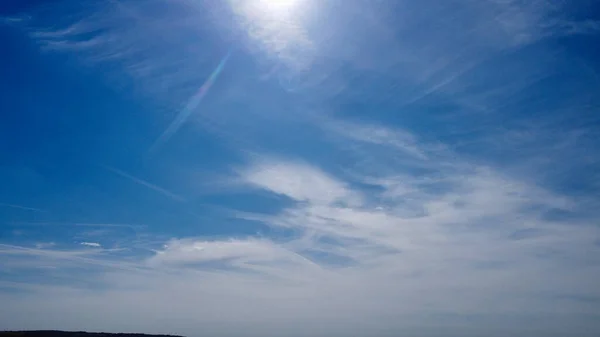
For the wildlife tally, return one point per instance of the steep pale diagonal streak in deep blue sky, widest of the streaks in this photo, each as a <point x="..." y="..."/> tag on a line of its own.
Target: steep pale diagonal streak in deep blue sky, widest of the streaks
<point x="192" y="104"/>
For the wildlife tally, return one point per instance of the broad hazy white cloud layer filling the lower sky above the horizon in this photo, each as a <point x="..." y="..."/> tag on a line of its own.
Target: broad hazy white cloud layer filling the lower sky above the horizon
<point x="437" y="250"/>
